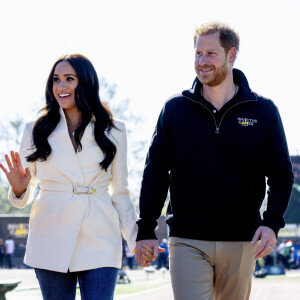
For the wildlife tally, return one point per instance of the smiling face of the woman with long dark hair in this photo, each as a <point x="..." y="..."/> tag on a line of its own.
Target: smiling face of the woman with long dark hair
<point x="65" y="82"/>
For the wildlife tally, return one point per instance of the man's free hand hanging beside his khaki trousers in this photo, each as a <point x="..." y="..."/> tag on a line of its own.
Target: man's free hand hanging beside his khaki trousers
<point x="267" y="243"/>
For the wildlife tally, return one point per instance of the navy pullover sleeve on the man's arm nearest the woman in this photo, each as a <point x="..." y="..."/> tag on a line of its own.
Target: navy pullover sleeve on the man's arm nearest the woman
<point x="156" y="177"/>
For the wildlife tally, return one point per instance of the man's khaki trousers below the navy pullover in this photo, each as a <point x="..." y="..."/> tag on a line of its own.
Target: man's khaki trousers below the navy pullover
<point x="206" y="270"/>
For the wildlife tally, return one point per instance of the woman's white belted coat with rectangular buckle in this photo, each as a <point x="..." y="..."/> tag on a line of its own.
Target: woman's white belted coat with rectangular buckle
<point x="69" y="231"/>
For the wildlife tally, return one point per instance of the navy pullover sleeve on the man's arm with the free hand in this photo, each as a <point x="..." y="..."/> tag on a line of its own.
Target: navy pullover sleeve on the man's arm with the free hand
<point x="279" y="175"/>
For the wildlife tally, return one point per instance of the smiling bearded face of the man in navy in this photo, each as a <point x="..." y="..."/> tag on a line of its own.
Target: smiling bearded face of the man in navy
<point x="211" y="61"/>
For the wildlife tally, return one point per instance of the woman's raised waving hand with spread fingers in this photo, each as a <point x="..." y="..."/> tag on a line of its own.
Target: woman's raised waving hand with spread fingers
<point x="17" y="176"/>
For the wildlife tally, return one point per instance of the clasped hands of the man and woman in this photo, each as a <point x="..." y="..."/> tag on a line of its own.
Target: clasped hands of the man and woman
<point x="147" y="250"/>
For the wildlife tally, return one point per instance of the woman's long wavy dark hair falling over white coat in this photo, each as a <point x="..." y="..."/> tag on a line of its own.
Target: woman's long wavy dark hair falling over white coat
<point x="88" y="102"/>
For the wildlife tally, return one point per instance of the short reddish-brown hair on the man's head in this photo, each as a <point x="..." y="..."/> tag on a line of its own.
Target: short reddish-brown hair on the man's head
<point x="228" y="36"/>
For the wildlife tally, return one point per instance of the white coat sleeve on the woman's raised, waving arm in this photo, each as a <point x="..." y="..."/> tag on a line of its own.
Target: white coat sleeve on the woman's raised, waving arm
<point x="26" y="148"/>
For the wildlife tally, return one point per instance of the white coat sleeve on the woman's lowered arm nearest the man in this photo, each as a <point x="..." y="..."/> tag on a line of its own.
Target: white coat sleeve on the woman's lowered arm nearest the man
<point x="119" y="189"/>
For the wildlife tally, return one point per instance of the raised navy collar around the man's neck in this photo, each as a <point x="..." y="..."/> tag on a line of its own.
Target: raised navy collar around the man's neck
<point x="239" y="78"/>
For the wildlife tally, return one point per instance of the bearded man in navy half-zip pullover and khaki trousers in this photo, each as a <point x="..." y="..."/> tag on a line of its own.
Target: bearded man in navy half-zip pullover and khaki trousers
<point x="213" y="146"/>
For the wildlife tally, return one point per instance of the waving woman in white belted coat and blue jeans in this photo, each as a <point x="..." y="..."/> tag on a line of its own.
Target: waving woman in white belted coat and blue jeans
<point x="77" y="151"/>
